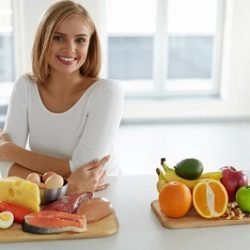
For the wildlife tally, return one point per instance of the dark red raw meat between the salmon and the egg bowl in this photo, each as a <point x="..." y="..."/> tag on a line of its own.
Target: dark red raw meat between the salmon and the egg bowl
<point x="69" y="203"/>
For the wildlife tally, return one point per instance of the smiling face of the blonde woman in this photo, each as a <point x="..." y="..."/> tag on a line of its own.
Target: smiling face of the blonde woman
<point x="69" y="45"/>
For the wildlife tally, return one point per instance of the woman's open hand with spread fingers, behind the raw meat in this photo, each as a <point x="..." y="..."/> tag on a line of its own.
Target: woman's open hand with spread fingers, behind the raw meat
<point x="88" y="178"/>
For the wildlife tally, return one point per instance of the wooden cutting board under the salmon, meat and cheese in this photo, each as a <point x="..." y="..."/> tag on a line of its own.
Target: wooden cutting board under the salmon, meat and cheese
<point x="105" y="227"/>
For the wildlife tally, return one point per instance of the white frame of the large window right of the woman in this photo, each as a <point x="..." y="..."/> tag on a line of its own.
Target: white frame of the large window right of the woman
<point x="164" y="88"/>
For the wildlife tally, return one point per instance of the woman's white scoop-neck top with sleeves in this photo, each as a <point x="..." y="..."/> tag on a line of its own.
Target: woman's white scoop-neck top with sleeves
<point x="81" y="134"/>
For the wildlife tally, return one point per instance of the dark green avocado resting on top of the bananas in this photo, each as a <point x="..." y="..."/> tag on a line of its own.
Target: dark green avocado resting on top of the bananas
<point x="189" y="168"/>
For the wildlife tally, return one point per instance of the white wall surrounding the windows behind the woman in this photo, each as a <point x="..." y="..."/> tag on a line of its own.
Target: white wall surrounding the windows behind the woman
<point x="235" y="77"/>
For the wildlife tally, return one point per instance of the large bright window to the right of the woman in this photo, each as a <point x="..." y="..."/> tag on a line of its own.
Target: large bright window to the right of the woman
<point x="165" y="47"/>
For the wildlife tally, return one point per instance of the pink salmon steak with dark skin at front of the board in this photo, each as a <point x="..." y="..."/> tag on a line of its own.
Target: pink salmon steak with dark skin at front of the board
<point x="47" y="222"/>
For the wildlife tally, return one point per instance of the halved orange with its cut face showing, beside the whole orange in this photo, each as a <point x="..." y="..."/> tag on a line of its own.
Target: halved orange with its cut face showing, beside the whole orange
<point x="210" y="198"/>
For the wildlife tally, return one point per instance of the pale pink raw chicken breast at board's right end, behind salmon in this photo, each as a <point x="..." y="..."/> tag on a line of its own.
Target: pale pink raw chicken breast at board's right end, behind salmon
<point x="95" y="209"/>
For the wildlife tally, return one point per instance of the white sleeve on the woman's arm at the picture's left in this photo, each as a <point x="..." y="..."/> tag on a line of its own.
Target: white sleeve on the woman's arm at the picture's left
<point x="16" y="125"/>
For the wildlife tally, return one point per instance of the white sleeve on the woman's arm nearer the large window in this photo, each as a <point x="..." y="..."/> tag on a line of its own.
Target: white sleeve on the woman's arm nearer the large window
<point x="103" y="120"/>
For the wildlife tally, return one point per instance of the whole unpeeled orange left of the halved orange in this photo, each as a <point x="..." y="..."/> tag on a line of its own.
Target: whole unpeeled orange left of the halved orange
<point x="175" y="199"/>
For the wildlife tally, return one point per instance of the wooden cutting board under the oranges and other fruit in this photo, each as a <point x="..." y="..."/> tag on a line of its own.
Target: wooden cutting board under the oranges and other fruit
<point x="192" y="219"/>
